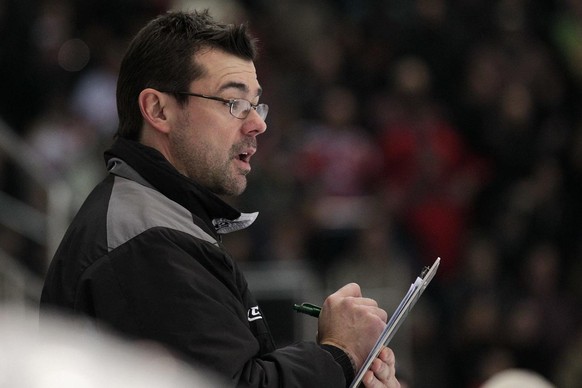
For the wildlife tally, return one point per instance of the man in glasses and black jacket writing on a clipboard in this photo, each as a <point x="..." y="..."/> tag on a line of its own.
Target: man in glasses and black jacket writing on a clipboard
<point x="144" y="253"/>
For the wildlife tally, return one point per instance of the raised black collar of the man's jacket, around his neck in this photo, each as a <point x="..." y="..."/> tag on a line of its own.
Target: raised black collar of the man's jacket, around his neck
<point x="149" y="167"/>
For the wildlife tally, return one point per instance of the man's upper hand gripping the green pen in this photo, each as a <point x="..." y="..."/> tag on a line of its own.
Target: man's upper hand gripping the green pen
<point x="351" y="322"/>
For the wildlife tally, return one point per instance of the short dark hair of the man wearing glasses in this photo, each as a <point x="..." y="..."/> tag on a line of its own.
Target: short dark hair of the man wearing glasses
<point x="160" y="56"/>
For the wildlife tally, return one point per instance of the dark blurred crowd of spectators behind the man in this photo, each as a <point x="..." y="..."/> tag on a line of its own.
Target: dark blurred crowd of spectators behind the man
<point x="399" y="131"/>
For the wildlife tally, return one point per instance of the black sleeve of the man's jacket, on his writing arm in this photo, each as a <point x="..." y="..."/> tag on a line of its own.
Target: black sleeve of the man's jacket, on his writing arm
<point x="162" y="286"/>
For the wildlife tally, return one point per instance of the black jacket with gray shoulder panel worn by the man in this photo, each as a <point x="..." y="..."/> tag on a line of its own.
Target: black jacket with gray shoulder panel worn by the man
<point x="144" y="256"/>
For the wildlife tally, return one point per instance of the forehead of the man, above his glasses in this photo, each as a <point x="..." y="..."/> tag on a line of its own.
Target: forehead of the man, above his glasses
<point x="223" y="71"/>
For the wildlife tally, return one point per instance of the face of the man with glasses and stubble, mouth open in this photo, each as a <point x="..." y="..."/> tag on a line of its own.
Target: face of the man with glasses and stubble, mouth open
<point x="206" y="142"/>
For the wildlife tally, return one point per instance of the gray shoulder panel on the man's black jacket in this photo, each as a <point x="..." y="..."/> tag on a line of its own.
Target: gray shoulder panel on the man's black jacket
<point x="135" y="208"/>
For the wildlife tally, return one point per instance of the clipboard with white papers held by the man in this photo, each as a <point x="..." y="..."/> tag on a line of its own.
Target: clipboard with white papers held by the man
<point x="412" y="296"/>
